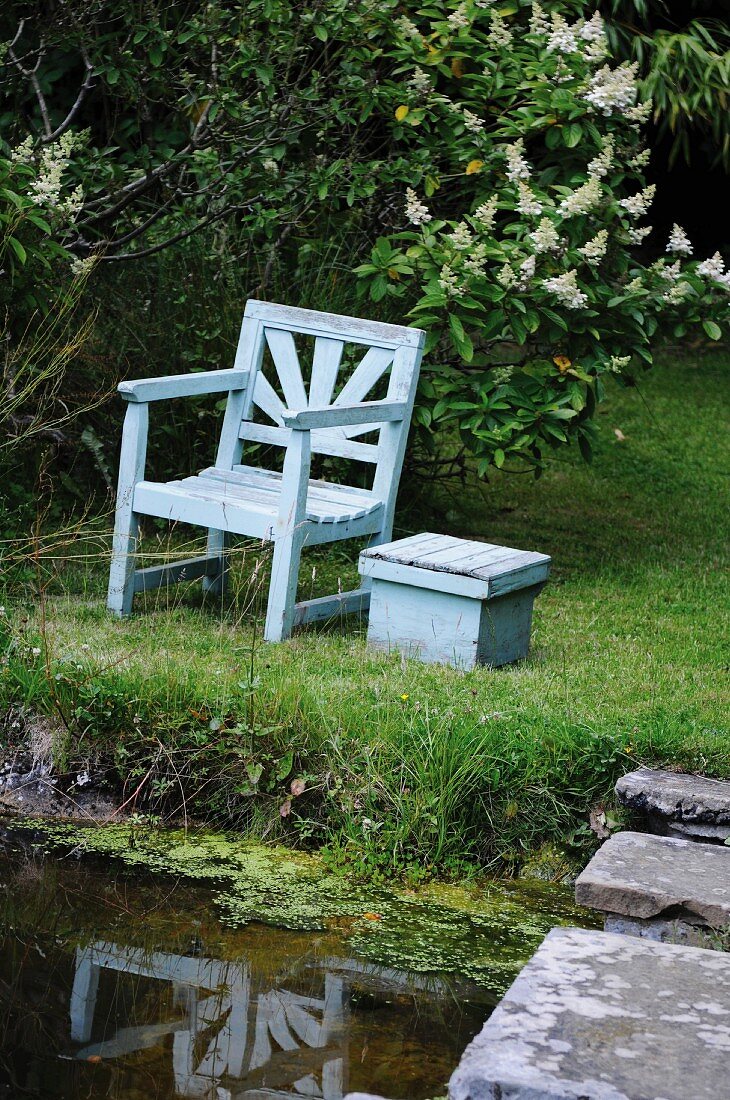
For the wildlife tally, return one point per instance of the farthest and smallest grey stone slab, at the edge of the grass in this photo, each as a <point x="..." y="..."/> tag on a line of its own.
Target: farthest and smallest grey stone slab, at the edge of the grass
<point x="692" y="807"/>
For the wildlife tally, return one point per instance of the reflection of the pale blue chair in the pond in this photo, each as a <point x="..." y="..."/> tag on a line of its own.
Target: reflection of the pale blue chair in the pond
<point x="251" y="1031"/>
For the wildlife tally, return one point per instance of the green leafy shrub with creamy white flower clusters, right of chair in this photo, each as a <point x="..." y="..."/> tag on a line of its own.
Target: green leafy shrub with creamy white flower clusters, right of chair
<point x="527" y="194"/>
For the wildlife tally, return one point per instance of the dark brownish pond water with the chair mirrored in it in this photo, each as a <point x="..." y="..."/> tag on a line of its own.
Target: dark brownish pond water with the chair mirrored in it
<point x="124" y="984"/>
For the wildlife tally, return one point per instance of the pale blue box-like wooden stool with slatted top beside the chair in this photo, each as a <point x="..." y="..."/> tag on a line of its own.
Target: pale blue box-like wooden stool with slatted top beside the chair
<point x="450" y="601"/>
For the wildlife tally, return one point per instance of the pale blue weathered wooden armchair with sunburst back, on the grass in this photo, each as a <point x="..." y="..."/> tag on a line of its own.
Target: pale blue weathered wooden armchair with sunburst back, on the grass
<point x="304" y="413"/>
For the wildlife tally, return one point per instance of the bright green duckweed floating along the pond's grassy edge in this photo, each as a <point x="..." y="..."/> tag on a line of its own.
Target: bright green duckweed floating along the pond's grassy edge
<point x="484" y="933"/>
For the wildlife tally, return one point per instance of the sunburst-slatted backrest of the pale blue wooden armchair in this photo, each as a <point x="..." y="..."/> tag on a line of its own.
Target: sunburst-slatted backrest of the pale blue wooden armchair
<point x="289" y="375"/>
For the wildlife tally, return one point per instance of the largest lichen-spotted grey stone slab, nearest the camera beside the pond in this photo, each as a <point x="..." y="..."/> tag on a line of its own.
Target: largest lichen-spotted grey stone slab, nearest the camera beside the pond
<point x="601" y="1017"/>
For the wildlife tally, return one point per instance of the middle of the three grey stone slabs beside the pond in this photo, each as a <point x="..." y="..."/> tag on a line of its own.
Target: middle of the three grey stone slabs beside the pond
<point x="644" y="876"/>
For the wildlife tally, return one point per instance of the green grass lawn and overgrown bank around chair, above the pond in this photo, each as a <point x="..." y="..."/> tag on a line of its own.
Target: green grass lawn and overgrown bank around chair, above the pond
<point x="405" y="767"/>
